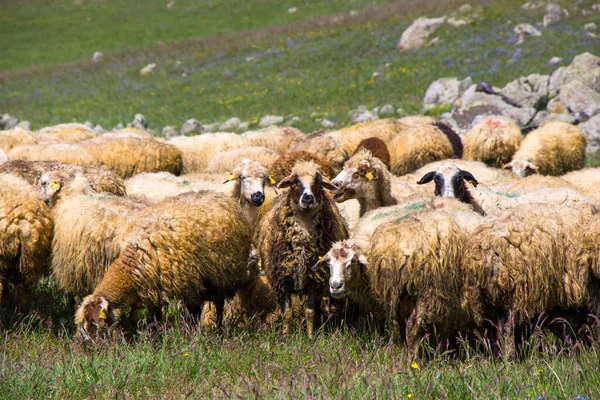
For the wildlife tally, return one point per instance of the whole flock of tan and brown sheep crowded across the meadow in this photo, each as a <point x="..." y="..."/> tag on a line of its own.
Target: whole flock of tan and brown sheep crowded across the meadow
<point x="259" y="225"/>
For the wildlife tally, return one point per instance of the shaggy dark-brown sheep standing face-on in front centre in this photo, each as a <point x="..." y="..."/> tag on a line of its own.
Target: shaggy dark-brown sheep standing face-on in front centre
<point x="298" y="228"/>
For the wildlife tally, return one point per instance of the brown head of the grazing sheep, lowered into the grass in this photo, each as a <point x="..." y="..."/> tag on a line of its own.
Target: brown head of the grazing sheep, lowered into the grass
<point x="95" y="316"/>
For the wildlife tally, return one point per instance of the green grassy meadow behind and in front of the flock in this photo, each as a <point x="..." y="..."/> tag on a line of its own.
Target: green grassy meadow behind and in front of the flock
<point x="221" y="59"/>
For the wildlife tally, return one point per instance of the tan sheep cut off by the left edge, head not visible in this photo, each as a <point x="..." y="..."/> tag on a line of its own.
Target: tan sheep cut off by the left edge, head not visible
<point x="25" y="235"/>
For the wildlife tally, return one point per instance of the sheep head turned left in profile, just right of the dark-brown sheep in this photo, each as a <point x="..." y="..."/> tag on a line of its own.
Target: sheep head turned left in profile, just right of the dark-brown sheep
<point x="358" y="178"/>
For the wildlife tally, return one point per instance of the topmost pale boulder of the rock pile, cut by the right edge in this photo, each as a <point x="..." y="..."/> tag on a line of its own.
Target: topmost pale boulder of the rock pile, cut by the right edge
<point x="584" y="68"/>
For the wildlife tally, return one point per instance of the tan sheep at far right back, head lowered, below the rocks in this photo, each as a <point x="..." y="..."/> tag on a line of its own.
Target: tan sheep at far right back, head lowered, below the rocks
<point x="555" y="148"/>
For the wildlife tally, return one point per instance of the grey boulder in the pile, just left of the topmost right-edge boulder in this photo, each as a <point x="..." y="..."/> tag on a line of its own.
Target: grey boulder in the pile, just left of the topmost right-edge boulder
<point x="530" y="91"/>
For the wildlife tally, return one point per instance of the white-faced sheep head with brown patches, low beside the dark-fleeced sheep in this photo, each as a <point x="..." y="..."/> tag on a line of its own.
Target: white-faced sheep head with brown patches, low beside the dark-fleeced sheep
<point x="346" y="265"/>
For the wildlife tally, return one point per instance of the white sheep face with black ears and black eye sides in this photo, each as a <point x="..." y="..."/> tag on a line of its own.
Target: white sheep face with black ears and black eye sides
<point x="449" y="181"/>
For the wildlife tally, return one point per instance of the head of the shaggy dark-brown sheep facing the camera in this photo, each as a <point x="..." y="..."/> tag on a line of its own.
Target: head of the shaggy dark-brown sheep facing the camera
<point x="306" y="185"/>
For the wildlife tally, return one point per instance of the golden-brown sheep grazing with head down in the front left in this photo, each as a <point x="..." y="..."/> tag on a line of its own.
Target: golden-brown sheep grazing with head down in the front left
<point x="166" y="256"/>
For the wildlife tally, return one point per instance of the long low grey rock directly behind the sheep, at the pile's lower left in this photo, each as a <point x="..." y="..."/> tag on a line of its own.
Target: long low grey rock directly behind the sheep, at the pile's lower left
<point x="473" y="103"/>
